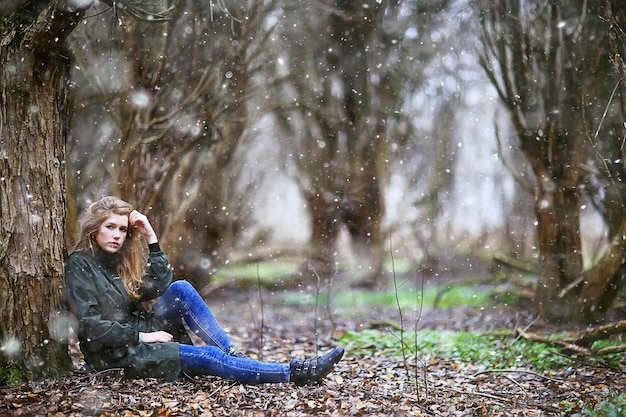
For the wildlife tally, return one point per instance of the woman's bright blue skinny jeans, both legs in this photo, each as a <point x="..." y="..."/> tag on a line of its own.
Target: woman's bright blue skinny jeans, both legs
<point x="181" y="302"/>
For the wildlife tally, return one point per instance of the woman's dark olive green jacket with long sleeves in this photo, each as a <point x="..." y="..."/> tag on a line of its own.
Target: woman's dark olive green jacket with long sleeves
<point x="109" y="321"/>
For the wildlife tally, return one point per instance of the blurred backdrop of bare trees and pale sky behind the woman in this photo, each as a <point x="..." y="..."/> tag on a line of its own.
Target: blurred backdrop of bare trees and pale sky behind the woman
<point x="338" y="135"/>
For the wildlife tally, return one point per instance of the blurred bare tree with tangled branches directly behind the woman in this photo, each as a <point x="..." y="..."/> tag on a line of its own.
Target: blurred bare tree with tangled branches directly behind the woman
<point x="177" y="100"/>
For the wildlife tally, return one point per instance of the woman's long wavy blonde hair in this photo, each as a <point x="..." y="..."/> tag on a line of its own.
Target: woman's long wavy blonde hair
<point x="133" y="259"/>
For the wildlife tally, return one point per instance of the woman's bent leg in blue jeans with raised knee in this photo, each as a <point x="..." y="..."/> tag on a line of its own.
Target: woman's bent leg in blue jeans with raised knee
<point x="180" y="302"/>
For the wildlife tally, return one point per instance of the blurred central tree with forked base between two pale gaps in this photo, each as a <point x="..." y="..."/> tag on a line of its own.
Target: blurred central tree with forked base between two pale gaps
<point x="322" y="97"/>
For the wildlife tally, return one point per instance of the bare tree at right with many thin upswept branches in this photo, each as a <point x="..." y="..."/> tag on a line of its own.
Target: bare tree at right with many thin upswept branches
<point x="549" y="63"/>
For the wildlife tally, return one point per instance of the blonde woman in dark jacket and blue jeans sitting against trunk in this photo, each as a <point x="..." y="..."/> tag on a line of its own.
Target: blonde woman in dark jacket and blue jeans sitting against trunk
<point x="106" y="280"/>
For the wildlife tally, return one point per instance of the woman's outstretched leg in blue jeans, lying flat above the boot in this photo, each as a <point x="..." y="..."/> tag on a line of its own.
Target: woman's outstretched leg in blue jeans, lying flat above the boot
<point x="211" y="360"/>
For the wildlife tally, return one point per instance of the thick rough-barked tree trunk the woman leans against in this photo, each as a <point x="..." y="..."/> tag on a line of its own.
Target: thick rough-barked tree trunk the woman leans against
<point x="34" y="125"/>
